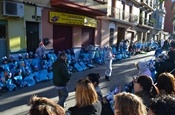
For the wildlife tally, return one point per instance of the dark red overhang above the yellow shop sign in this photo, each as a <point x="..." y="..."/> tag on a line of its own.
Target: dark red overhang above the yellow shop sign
<point x="76" y="7"/>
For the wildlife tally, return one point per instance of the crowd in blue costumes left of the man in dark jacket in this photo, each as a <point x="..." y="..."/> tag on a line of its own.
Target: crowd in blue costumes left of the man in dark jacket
<point x="26" y="70"/>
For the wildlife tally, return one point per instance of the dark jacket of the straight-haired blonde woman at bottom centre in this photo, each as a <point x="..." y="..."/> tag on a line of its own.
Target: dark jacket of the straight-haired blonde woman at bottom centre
<point x="94" y="109"/>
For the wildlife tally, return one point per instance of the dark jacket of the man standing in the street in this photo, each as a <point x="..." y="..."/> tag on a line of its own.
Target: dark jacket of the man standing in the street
<point x="60" y="73"/>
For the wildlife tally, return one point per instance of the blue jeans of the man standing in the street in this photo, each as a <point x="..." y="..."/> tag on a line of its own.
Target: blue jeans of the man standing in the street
<point x="62" y="95"/>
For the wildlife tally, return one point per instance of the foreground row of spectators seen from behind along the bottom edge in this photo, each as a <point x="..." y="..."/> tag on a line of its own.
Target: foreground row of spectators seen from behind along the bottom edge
<point x="147" y="99"/>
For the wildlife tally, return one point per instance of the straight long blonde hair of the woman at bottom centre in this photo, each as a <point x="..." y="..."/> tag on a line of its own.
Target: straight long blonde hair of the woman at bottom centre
<point x="85" y="93"/>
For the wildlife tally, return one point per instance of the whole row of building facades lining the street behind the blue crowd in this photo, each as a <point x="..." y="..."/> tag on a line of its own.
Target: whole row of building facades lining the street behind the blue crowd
<point x="74" y="23"/>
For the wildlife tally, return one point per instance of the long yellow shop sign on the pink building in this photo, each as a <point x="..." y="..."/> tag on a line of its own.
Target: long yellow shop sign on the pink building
<point x="66" y="18"/>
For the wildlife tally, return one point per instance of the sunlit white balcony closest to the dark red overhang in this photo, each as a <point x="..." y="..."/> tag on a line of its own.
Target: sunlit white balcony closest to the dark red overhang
<point x="125" y="16"/>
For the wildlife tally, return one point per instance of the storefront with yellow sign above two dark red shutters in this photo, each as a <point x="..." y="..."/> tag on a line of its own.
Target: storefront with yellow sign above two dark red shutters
<point x="72" y="30"/>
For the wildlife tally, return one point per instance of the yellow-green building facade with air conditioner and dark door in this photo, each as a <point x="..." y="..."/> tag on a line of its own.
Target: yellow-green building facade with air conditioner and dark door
<point x="21" y="23"/>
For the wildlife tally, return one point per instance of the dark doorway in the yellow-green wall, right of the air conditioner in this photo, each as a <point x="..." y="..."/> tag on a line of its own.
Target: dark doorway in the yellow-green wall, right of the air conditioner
<point x="32" y="34"/>
